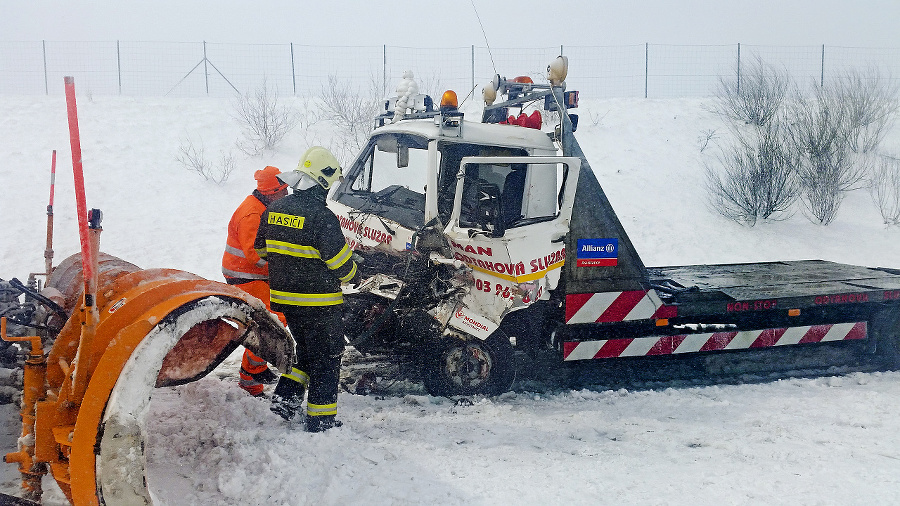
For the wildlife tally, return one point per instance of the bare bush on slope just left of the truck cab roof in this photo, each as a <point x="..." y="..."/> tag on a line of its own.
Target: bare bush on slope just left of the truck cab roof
<point x="352" y="112"/>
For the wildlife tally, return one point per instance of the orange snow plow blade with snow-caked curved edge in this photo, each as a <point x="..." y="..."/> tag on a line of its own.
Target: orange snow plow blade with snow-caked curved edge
<point x="157" y="327"/>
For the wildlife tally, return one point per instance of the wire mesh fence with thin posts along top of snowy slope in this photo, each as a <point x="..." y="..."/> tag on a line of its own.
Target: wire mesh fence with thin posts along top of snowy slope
<point x="193" y="69"/>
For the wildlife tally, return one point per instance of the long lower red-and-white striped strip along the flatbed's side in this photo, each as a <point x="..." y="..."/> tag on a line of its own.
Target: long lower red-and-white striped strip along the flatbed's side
<point x="691" y="343"/>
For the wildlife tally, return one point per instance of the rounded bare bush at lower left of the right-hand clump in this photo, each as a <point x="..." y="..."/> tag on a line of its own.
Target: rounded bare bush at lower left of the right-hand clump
<point x="756" y="179"/>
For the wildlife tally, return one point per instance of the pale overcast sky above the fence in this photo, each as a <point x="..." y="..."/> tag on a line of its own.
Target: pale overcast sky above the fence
<point x="453" y="23"/>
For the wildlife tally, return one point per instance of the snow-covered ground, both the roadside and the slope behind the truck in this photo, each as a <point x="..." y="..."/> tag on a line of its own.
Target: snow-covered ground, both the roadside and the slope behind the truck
<point x="832" y="439"/>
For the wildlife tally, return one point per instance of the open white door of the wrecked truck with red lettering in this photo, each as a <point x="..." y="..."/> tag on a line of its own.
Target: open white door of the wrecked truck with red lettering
<point x="509" y="219"/>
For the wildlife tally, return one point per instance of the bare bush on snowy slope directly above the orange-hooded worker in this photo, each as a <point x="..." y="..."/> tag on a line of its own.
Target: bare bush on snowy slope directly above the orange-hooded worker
<point x="264" y="121"/>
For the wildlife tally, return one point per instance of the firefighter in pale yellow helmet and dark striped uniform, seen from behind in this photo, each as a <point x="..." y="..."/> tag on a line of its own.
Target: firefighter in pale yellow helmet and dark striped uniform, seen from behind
<point x="308" y="260"/>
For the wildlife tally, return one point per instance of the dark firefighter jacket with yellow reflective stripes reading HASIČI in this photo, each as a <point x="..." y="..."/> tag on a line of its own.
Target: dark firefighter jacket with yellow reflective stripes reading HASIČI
<point x="307" y="254"/>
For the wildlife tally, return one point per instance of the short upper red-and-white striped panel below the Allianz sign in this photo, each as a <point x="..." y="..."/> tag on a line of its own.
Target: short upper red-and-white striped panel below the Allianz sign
<point x="616" y="307"/>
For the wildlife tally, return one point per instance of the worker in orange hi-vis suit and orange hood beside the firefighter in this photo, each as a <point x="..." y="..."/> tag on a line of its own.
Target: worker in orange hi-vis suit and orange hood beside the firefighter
<point x="243" y="268"/>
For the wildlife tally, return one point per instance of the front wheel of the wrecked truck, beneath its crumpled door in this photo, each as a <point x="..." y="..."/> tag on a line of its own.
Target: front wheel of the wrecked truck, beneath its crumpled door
<point x="467" y="366"/>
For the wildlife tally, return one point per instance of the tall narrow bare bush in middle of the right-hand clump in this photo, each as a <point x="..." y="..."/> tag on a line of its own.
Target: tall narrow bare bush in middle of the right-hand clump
<point x="821" y="132"/>
